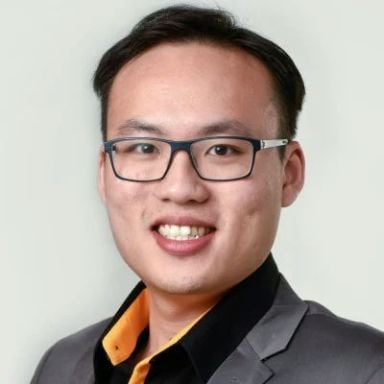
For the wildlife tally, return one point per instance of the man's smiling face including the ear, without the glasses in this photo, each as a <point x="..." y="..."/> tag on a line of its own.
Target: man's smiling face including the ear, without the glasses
<point x="186" y="91"/>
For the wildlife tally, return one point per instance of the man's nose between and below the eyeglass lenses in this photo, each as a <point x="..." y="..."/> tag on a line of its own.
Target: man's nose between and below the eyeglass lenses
<point x="182" y="185"/>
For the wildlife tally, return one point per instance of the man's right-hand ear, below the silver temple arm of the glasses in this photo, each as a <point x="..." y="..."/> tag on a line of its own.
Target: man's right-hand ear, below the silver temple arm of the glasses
<point x="293" y="173"/>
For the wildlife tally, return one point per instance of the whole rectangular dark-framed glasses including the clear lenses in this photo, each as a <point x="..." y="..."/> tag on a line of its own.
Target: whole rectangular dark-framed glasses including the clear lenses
<point x="217" y="158"/>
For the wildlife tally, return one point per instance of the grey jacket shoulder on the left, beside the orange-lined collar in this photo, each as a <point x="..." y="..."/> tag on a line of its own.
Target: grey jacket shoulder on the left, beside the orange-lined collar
<point x="70" y="354"/>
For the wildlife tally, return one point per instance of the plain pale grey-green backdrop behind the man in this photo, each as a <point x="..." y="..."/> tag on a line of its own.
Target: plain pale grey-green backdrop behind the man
<point x="59" y="268"/>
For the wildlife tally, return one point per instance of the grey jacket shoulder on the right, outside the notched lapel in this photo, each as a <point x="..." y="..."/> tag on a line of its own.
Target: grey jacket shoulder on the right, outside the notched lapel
<point x="334" y="349"/>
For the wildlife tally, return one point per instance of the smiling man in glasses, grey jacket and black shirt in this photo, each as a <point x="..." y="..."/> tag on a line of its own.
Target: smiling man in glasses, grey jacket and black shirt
<point x="198" y="118"/>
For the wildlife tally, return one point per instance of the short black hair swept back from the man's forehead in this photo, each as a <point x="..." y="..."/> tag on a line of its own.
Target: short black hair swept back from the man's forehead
<point x="187" y="23"/>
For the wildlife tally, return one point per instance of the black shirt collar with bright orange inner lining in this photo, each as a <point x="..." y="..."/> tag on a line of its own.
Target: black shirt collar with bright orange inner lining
<point x="210" y="340"/>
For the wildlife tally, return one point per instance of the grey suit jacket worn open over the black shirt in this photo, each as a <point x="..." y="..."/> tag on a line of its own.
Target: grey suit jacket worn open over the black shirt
<point x="296" y="342"/>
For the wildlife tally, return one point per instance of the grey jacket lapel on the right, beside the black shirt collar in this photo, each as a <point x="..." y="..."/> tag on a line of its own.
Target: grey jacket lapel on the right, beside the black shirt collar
<point x="271" y="335"/>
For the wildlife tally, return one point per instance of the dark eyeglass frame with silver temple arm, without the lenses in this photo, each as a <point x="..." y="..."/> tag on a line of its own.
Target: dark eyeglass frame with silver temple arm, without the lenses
<point x="185" y="145"/>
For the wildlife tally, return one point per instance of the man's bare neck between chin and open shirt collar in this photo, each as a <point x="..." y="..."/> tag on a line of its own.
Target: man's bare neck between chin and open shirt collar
<point x="169" y="314"/>
